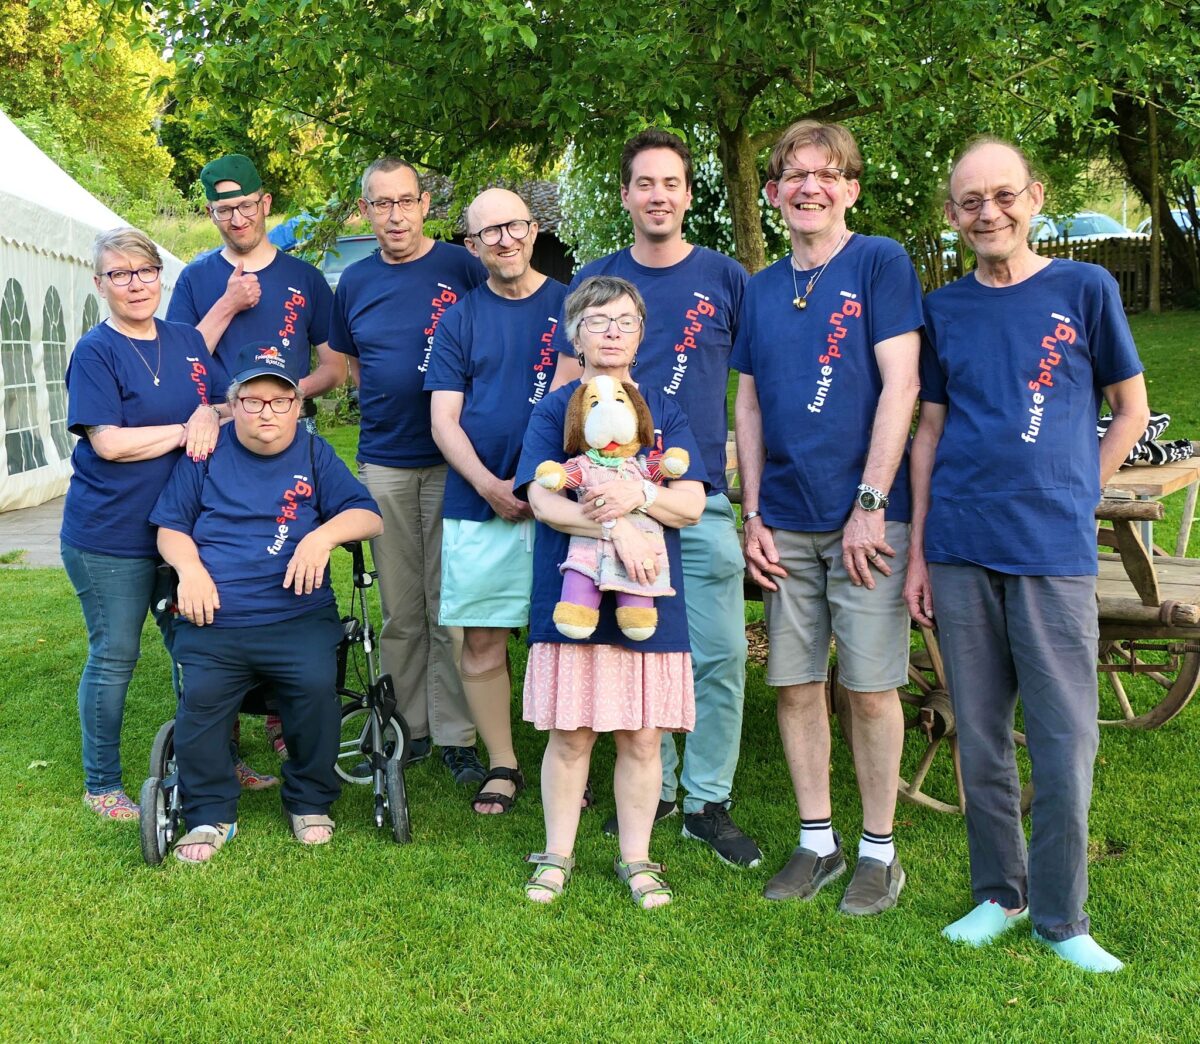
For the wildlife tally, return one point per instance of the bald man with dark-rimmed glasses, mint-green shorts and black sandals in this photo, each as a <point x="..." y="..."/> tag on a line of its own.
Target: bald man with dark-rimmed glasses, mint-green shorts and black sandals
<point x="493" y="363"/>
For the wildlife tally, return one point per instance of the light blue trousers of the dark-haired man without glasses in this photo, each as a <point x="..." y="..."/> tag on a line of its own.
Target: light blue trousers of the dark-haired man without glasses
<point x="712" y="569"/>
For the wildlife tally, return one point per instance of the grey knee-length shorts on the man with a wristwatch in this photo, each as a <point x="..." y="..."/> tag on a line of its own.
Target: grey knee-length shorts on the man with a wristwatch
<point x="817" y="599"/>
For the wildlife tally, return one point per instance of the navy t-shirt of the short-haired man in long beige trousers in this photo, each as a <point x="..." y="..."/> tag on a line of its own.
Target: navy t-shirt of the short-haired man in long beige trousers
<point x="387" y="316"/>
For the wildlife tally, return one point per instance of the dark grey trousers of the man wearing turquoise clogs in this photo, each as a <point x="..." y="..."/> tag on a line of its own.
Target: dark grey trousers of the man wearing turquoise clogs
<point x="1035" y="635"/>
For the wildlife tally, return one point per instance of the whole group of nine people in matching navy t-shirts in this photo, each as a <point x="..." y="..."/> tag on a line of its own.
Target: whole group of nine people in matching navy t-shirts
<point x="478" y="375"/>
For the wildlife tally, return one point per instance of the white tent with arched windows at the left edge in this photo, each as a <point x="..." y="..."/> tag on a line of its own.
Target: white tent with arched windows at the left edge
<point x="47" y="301"/>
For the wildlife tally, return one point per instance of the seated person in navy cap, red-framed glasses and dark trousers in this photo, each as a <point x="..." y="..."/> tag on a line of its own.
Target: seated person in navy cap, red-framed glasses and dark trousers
<point x="250" y="533"/>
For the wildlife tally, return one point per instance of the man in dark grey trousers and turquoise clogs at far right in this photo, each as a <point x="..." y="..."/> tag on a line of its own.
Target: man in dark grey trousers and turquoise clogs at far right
<point x="1006" y="476"/>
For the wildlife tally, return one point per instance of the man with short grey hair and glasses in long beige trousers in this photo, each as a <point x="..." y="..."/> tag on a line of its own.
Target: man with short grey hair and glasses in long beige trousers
<point x="387" y="310"/>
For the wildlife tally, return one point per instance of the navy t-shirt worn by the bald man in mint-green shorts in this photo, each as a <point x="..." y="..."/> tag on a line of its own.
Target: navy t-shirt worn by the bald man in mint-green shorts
<point x="499" y="353"/>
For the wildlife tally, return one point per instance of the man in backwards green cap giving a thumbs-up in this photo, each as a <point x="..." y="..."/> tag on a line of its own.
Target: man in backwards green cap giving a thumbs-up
<point x="251" y="292"/>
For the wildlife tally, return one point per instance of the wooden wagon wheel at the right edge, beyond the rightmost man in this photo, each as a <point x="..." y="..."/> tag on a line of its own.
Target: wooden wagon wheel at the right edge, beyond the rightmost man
<point x="1147" y="682"/>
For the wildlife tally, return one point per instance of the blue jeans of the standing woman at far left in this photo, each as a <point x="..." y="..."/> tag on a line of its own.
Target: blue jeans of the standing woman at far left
<point x="116" y="595"/>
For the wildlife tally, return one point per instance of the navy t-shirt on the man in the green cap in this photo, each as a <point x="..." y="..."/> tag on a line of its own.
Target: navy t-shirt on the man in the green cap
<point x="292" y="314"/>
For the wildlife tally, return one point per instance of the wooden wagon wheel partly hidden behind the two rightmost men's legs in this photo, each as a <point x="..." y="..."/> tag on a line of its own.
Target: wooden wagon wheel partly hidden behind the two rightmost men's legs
<point x="926" y="779"/>
